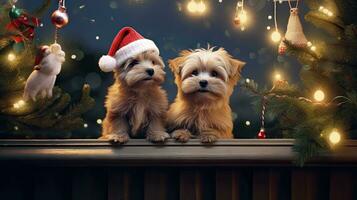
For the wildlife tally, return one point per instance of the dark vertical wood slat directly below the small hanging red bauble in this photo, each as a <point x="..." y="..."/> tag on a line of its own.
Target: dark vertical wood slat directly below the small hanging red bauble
<point x="265" y="184"/>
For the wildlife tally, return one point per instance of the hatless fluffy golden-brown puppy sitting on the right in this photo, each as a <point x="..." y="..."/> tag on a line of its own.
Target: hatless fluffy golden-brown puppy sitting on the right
<point x="205" y="79"/>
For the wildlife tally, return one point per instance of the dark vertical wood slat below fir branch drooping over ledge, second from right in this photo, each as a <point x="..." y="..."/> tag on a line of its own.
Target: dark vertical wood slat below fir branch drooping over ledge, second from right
<point x="304" y="184"/>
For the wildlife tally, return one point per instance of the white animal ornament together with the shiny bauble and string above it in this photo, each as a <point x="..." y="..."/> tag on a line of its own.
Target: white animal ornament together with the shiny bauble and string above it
<point x="48" y="62"/>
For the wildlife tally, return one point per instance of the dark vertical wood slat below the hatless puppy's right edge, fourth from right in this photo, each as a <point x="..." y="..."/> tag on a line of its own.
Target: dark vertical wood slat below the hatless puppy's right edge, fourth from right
<point x="227" y="184"/>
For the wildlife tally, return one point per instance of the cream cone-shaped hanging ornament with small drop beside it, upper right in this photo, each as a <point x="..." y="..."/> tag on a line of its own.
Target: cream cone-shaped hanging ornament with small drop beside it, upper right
<point x="294" y="31"/>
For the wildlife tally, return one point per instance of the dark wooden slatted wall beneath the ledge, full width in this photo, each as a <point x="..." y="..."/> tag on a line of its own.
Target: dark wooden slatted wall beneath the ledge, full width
<point x="184" y="183"/>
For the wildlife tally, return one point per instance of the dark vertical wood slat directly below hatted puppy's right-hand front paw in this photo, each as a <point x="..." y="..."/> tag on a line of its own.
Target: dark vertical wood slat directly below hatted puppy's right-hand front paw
<point x="155" y="184"/>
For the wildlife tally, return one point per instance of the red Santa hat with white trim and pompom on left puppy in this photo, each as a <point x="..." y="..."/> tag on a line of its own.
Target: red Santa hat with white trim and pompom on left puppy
<point x="126" y="44"/>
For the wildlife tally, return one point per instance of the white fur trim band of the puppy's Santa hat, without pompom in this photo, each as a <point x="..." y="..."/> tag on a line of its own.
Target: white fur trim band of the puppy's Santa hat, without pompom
<point x="133" y="49"/>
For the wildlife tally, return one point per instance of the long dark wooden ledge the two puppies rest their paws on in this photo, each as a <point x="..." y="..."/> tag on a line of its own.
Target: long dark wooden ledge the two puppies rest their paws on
<point x="138" y="152"/>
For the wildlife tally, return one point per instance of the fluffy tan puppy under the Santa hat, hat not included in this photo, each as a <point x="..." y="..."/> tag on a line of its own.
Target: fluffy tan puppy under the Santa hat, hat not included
<point x="136" y="103"/>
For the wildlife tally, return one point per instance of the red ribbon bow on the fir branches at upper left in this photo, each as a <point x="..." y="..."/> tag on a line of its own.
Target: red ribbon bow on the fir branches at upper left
<point x="26" y="25"/>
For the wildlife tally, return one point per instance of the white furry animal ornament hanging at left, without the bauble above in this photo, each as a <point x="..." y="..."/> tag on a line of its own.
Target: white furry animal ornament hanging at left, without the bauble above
<point x="43" y="78"/>
